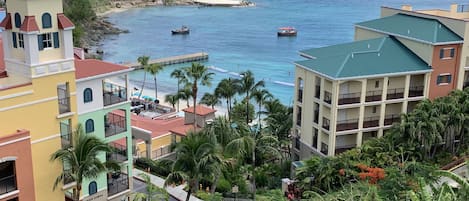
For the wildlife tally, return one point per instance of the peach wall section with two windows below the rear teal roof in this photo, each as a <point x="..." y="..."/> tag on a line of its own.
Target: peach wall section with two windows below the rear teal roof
<point x="441" y="66"/>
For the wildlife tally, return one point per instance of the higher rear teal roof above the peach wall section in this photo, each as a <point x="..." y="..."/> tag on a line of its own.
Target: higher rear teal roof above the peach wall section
<point x="413" y="27"/>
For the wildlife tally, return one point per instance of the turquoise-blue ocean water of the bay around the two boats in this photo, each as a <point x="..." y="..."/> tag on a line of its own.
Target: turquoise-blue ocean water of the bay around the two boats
<point x="239" y="39"/>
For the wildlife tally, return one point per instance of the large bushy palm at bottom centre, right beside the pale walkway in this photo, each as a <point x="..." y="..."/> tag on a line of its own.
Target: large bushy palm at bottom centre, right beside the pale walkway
<point x="196" y="158"/>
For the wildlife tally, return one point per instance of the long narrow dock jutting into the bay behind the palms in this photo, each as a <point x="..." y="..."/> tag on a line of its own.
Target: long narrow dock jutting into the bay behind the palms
<point x="199" y="56"/>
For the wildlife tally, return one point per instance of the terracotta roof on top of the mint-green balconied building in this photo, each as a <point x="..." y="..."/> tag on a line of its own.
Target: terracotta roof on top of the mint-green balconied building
<point x="92" y="67"/>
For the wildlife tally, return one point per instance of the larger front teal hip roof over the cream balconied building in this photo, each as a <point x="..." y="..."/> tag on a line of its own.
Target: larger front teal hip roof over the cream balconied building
<point x="364" y="58"/>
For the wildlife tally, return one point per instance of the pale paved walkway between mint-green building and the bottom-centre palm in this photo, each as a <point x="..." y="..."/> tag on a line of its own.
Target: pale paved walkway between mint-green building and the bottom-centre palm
<point x="176" y="192"/>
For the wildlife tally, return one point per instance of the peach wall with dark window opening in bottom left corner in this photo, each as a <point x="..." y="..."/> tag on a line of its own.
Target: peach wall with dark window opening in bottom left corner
<point x="23" y="163"/>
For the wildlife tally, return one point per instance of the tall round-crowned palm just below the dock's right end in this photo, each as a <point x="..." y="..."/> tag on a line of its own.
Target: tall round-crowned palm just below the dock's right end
<point x="194" y="75"/>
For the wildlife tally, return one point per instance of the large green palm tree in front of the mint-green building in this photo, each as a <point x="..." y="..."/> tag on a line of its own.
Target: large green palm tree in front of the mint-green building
<point x="82" y="160"/>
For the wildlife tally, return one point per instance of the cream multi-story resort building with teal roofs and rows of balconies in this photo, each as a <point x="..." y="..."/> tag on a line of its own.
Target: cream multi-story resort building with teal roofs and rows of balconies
<point x="349" y="93"/>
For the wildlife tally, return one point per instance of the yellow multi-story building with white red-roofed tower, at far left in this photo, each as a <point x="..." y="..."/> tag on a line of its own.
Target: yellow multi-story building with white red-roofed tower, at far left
<point x="37" y="98"/>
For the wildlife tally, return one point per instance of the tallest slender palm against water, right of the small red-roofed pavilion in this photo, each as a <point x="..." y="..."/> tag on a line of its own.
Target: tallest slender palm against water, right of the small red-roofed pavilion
<point x="247" y="85"/>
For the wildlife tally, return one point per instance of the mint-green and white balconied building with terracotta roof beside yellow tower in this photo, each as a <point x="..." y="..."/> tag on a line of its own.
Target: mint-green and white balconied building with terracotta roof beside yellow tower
<point x="103" y="108"/>
